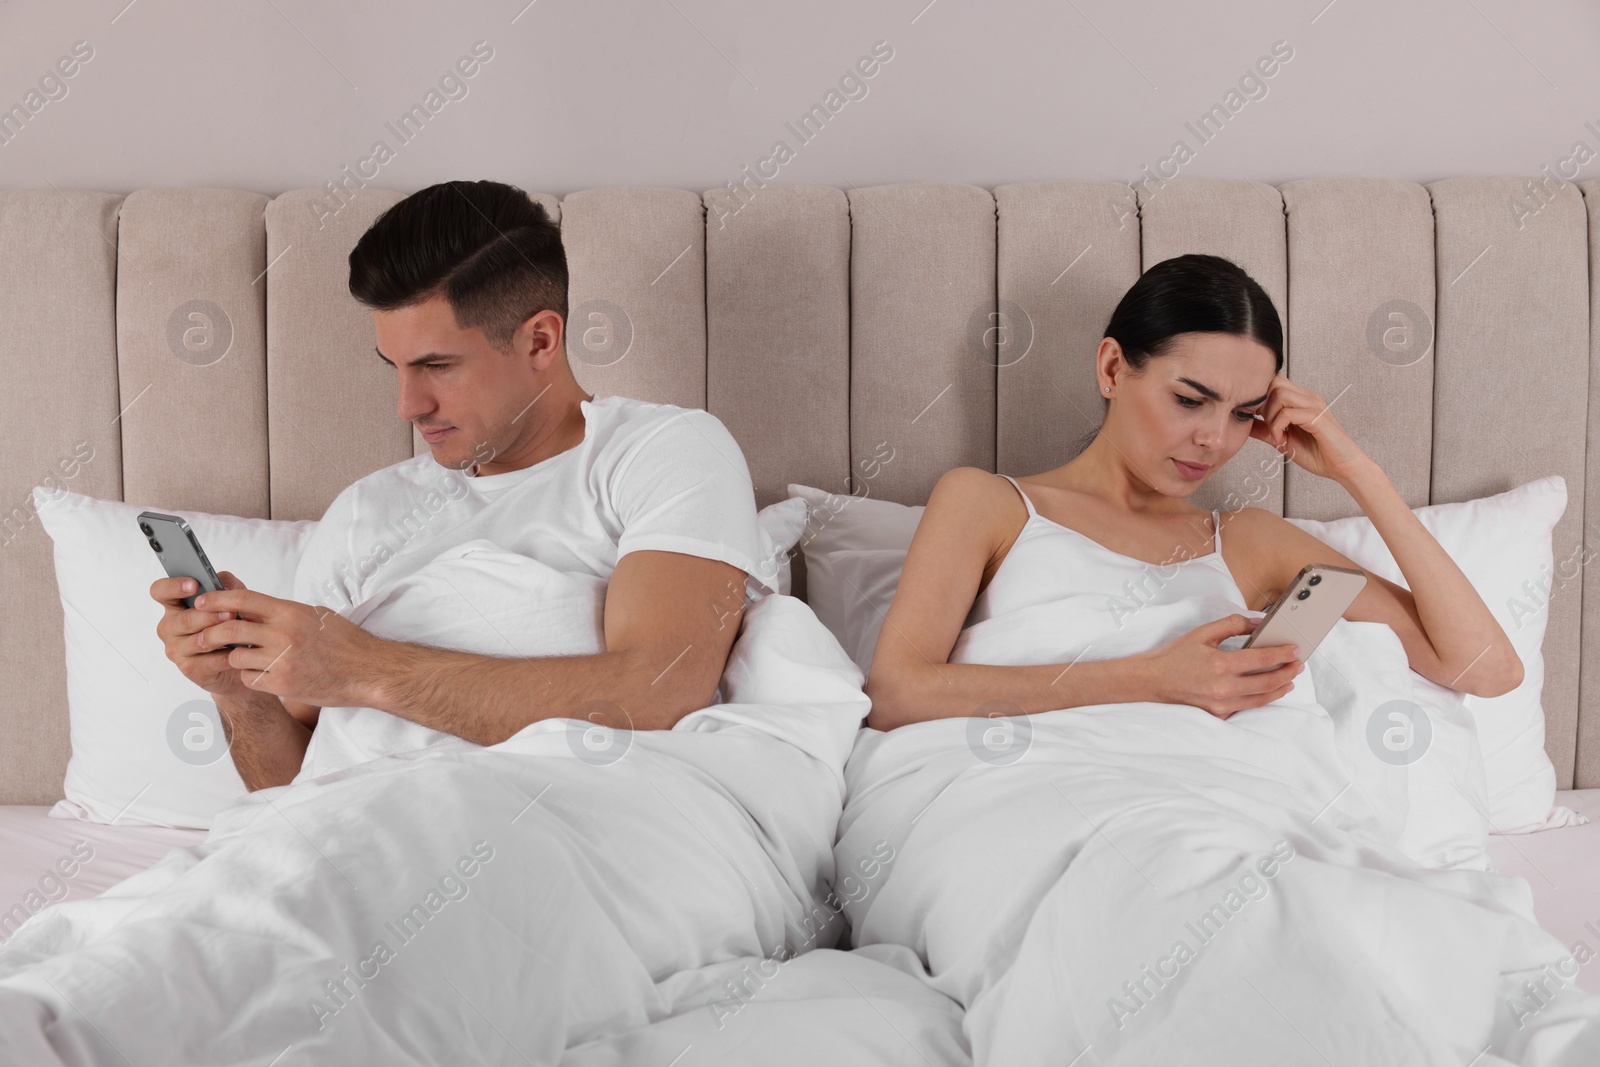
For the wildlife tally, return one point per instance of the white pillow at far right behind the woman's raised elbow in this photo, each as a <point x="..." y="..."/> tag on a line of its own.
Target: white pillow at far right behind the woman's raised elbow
<point x="1503" y="546"/>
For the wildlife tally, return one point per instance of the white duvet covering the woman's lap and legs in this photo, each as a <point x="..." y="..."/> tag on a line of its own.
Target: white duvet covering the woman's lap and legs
<point x="1146" y="884"/>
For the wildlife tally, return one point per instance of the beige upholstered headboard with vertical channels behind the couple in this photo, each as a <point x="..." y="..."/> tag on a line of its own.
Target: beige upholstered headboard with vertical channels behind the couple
<point x="202" y="342"/>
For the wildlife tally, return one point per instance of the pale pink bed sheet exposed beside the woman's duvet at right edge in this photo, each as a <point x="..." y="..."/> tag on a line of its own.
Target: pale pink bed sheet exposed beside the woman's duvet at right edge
<point x="1562" y="868"/>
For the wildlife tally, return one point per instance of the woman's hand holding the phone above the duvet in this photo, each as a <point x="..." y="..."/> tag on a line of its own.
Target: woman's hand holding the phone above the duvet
<point x="1194" y="671"/>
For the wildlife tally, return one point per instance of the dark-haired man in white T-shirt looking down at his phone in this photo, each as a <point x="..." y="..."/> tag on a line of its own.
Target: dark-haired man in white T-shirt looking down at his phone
<point x="468" y="287"/>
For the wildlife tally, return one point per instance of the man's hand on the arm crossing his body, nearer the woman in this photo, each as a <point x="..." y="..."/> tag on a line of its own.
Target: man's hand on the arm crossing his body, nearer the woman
<point x="297" y="652"/>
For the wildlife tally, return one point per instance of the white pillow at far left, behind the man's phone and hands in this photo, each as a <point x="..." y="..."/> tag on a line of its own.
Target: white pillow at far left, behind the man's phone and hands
<point x="148" y="745"/>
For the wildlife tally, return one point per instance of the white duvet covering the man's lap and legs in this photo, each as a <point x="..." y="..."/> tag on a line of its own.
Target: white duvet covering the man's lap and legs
<point x="470" y="905"/>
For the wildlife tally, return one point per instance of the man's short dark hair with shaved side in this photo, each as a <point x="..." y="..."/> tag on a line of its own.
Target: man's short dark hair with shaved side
<point x="484" y="246"/>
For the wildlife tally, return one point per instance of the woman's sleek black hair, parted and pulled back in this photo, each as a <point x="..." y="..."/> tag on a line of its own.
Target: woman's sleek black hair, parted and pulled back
<point x="1185" y="295"/>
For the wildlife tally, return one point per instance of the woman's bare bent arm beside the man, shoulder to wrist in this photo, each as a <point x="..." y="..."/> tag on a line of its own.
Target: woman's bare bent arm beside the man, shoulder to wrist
<point x="969" y="526"/>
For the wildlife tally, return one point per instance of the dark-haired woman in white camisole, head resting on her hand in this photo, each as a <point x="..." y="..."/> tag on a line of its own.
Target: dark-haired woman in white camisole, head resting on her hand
<point x="1191" y="369"/>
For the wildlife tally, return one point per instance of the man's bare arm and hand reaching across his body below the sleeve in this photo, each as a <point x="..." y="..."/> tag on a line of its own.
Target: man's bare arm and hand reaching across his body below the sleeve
<point x="670" y="625"/>
